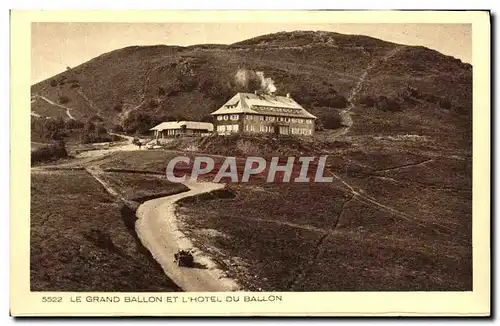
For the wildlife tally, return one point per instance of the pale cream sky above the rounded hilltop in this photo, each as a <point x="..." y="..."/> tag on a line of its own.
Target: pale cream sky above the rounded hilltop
<point x="55" y="46"/>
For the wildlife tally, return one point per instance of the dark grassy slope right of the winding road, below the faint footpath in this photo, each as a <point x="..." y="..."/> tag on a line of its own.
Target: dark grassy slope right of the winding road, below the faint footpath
<point x="314" y="238"/>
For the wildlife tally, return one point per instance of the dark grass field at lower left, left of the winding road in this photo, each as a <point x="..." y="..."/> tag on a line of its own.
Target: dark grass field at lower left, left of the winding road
<point x="83" y="240"/>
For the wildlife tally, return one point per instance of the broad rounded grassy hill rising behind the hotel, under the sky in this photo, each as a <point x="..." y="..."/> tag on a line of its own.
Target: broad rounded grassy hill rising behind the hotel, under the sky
<point x="315" y="67"/>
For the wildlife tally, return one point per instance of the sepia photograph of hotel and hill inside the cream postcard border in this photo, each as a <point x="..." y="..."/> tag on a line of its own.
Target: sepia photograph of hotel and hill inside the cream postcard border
<point x="259" y="157"/>
